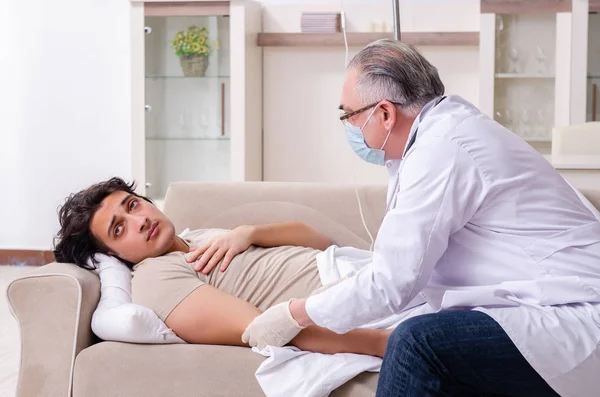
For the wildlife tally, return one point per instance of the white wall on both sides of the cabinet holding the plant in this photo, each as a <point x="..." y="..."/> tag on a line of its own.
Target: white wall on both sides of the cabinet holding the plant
<point x="65" y="99"/>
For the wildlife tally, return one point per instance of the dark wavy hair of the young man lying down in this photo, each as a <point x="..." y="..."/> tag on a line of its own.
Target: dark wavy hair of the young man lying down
<point x="75" y="242"/>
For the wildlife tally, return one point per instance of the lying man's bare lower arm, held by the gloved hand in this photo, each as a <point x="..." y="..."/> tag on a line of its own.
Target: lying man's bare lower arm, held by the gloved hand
<point x="210" y="316"/>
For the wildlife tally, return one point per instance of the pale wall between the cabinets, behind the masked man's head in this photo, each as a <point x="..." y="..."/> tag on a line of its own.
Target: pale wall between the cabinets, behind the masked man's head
<point x="303" y="138"/>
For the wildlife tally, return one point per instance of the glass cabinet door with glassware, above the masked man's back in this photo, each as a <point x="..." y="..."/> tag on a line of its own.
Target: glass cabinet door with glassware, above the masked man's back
<point x="525" y="71"/>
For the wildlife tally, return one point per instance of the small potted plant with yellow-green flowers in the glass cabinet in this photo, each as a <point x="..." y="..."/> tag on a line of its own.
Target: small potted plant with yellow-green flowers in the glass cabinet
<point x="193" y="49"/>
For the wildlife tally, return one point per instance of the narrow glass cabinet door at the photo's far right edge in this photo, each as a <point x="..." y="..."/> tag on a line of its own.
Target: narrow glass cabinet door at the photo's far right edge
<point x="593" y="78"/>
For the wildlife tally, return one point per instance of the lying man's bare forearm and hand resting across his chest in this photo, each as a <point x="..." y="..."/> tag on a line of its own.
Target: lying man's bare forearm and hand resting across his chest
<point x="227" y="246"/>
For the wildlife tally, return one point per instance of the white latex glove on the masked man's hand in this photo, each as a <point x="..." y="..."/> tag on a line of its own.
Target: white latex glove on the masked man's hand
<point x="275" y="327"/>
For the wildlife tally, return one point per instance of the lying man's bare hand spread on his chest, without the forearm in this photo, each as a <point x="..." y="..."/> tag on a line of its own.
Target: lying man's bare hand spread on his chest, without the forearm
<point x="224" y="247"/>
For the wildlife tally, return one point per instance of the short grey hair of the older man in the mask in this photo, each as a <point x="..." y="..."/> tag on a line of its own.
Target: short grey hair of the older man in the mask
<point x="397" y="72"/>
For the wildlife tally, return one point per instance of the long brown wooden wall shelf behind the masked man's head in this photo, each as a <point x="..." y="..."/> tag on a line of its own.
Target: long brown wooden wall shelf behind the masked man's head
<point x="362" y="39"/>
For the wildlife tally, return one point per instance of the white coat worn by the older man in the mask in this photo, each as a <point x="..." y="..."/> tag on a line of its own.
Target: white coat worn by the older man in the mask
<point x="478" y="219"/>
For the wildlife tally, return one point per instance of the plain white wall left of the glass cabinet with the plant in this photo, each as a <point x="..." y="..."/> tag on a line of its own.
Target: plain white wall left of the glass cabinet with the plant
<point x="64" y="108"/>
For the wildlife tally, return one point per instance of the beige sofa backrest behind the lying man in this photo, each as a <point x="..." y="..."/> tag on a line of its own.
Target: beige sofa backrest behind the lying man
<point x="332" y="209"/>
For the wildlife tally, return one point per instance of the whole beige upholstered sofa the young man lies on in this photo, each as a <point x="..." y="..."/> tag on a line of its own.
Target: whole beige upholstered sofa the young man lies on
<point x="61" y="357"/>
